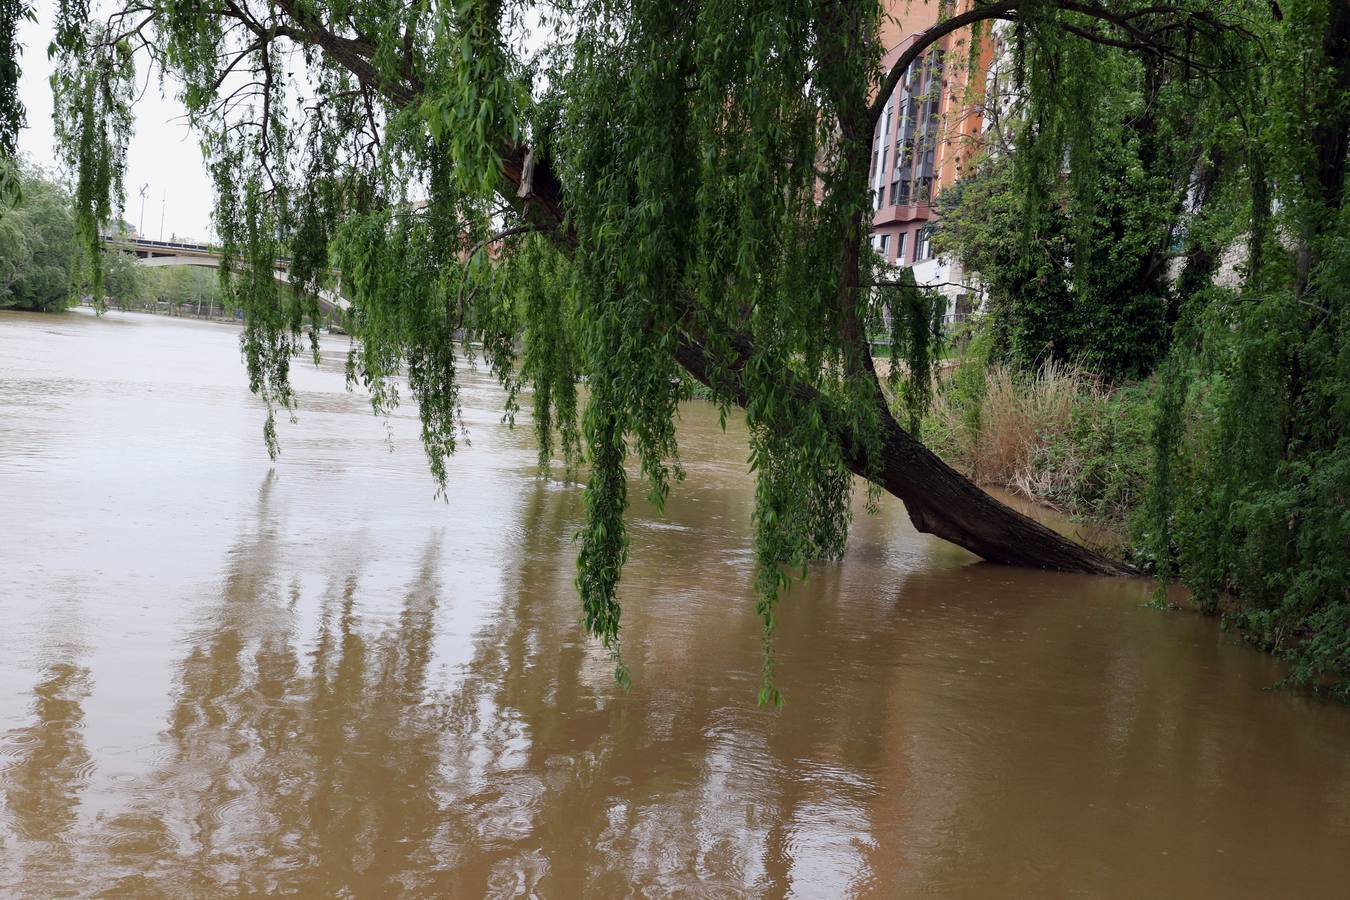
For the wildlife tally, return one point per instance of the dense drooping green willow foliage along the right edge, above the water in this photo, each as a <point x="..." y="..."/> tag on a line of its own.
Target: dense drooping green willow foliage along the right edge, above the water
<point x="1253" y="437"/>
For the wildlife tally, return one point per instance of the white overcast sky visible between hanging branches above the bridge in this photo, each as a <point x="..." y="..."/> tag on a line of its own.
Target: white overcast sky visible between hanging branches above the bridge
<point x="164" y="152"/>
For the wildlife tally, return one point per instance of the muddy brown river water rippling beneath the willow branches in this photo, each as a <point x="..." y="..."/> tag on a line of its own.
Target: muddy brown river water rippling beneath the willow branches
<point x="225" y="677"/>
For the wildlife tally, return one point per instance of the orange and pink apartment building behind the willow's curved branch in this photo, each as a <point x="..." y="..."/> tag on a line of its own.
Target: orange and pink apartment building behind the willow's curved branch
<point x="932" y="128"/>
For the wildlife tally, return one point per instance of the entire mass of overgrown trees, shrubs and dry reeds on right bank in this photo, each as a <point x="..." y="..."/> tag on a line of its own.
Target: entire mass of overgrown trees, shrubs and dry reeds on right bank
<point x="1108" y="266"/>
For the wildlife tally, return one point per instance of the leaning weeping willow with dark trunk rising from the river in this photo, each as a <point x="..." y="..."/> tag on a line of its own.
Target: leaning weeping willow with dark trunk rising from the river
<point x="665" y="188"/>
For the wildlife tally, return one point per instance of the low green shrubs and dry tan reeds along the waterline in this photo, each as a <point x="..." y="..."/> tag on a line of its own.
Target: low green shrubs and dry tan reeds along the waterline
<point x="1268" y="558"/>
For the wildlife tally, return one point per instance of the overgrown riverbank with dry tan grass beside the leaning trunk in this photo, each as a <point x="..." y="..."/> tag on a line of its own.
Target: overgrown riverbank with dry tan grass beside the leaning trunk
<point x="1064" y="439"/>
